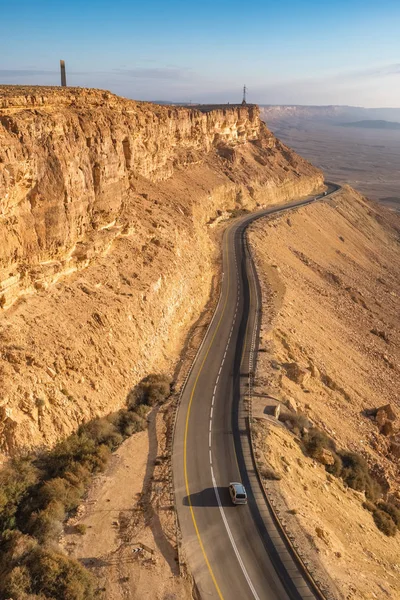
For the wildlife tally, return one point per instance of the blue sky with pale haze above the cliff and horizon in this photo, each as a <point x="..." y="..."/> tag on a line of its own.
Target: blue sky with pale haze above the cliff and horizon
<point x="286" y="52"/>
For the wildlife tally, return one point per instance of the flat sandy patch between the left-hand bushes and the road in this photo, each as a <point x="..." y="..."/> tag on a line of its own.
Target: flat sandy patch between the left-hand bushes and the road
<point x="130" y="539"/>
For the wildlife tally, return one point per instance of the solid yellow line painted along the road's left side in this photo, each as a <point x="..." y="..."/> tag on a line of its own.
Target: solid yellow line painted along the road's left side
<point x="187" y="428"/>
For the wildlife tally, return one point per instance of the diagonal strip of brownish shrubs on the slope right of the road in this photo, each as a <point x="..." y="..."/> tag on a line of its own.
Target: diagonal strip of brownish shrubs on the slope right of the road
<point x="351" y="467"/>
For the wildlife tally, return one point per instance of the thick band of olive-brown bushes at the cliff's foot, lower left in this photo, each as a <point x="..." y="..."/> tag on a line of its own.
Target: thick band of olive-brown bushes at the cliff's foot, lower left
<point x="38" y="492"/>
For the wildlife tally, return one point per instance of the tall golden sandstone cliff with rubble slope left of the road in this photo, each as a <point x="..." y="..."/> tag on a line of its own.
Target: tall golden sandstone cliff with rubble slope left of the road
<point x="106" y="256"/>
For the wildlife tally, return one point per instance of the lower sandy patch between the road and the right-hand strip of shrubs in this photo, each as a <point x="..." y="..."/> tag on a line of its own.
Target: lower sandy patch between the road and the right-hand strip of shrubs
<point x="328" y="522"/>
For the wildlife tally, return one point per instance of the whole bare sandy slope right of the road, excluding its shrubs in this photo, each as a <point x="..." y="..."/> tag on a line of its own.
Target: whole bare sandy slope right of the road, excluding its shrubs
<point x="330" y="274"/>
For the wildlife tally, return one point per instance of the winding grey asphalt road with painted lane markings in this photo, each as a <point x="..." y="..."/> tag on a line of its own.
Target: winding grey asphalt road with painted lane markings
<point x="232" y="551"/>
